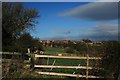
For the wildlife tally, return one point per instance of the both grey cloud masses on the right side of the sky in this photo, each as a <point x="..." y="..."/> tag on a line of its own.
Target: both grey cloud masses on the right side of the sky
<point x="103" y="13"/>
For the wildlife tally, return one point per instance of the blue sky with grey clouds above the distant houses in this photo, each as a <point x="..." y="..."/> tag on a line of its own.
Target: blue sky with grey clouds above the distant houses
<point x="75" y="20"/>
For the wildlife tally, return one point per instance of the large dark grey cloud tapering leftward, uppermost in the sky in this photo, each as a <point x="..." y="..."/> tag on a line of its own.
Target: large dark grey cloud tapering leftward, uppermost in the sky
<point x="96" y="11"/>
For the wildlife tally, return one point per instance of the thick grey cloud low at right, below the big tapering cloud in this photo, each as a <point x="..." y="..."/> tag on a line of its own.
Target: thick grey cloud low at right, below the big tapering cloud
<point x="103" y="32"/>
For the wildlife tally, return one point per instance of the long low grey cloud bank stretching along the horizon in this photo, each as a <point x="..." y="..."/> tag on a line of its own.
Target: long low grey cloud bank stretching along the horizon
<point x="99" y="32"/>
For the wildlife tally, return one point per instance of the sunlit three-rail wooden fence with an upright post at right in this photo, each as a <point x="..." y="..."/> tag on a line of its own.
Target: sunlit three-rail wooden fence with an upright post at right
<point x="87" y="67"/>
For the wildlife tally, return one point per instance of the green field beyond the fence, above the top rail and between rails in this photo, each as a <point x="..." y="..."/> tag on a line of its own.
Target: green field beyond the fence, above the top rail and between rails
<point x="62" y="62"/>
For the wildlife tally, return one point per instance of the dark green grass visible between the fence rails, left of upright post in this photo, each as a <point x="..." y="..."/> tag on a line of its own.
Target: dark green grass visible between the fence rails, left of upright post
<point x="66" y="62"/>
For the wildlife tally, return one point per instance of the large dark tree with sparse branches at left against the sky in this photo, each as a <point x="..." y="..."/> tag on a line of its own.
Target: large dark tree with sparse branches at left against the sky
<point x="17" y="20"/>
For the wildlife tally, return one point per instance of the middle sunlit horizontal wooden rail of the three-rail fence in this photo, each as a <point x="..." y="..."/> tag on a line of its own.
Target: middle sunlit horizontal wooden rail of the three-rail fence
<point x="50" y="66"/>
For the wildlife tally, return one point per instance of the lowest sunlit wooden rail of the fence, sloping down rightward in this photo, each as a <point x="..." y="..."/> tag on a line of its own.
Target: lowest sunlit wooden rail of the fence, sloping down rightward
<point x="68" y="75"/>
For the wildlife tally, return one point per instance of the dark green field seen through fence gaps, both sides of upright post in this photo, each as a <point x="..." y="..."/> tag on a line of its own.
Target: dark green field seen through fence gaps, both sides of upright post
<point x="69" y="62"/>
